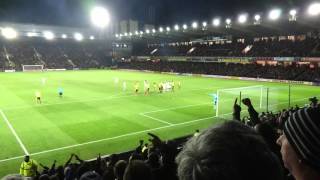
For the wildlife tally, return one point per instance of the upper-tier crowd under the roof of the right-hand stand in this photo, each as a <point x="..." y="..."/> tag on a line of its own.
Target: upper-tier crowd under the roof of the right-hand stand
<point x="309" y="47"/>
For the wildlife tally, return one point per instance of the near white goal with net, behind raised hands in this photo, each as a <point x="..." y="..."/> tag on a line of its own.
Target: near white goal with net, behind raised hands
<point x="226" y="98"/>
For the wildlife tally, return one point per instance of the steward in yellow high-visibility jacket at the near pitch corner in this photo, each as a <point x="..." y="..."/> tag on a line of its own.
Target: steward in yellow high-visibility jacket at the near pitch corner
<point x="28" y="167"/>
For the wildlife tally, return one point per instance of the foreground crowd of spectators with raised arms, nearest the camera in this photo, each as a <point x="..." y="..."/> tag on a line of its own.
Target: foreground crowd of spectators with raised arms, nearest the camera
<point x="267" y="146"/>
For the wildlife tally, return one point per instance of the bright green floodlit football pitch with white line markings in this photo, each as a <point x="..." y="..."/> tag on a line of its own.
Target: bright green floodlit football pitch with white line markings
<point x="96" y="116"/>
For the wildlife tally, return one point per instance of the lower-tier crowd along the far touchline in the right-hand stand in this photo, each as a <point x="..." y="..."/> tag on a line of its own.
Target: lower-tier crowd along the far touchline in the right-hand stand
<point x="290" y="72"/>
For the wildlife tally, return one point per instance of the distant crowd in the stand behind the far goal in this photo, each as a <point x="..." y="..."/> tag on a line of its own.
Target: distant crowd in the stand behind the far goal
<point x="54" y="54"/>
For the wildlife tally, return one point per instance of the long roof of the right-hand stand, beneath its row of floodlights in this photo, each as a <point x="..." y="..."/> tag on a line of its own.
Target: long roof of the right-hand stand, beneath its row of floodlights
<point x="265" y="29"/>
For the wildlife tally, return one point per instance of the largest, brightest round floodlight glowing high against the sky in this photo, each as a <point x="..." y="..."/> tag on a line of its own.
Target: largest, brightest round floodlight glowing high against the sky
<point x="100" y="17"/>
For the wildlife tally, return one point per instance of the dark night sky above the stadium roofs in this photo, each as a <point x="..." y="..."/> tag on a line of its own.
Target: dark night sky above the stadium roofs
<point x="167" y="12"/>
